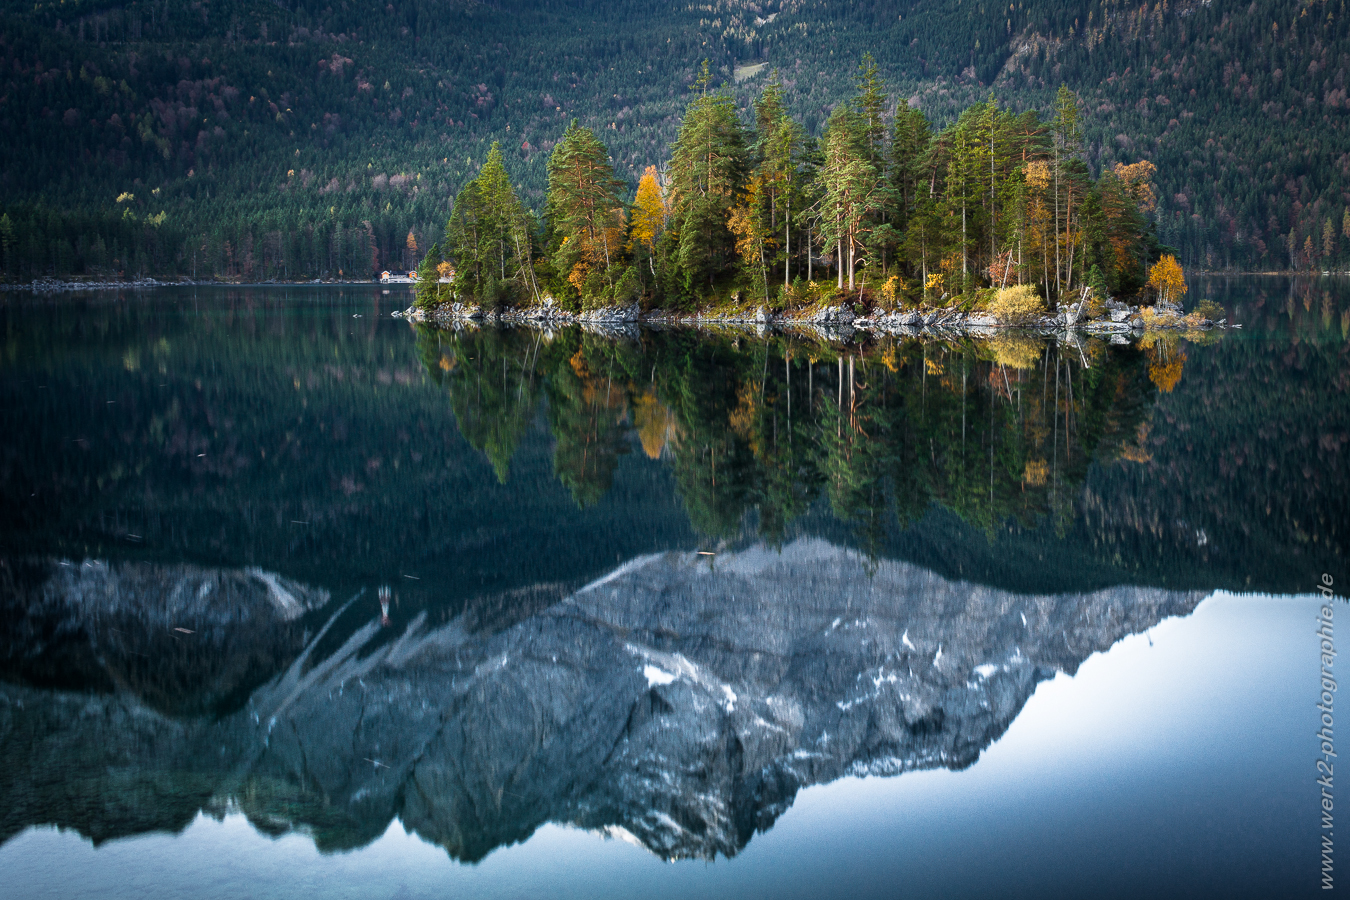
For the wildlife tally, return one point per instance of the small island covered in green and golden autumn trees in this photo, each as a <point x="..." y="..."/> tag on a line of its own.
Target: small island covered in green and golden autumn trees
<point x="997" y="214"/>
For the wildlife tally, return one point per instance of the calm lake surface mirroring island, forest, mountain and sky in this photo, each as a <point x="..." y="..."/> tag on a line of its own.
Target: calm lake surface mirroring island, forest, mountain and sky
<point x="300" y="600"/>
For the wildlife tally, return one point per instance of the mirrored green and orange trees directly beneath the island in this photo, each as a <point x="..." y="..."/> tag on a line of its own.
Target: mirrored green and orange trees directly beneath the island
<point x="996" y="431"/>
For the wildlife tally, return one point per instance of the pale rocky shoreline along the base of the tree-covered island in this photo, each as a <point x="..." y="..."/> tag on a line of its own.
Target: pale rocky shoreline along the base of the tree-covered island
<point x="1118" y="322"/>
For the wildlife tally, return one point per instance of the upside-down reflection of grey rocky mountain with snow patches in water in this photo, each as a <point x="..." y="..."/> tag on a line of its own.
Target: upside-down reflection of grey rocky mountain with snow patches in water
<point x="681" y="701"/>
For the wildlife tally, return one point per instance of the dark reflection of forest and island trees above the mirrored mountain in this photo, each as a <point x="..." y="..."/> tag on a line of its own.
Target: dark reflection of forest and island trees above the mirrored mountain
<point x="287" y="443"/>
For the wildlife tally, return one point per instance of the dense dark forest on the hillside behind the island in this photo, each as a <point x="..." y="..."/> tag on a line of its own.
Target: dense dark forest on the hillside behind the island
<point x="298" y="140"/>
